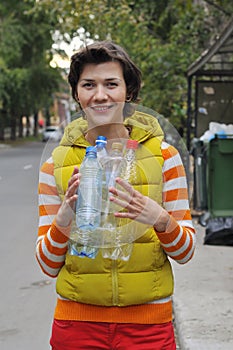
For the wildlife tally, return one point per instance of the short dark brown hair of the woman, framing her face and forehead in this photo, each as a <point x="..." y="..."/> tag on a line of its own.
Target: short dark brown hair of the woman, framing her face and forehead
<point x="105" y="51"/>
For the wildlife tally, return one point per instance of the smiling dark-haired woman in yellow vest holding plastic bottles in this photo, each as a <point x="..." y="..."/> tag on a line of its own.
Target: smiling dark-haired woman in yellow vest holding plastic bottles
<point x="106" y="304"/>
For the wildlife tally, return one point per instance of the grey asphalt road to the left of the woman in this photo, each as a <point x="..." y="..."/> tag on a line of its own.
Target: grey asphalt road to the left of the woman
<point x="27" y="296"/>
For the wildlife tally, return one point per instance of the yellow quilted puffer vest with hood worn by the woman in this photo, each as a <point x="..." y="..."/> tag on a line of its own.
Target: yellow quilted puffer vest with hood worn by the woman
<point x="147" y="275"/>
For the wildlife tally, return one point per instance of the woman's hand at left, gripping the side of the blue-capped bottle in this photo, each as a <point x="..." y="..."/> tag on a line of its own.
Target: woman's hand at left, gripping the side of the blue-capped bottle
<point x="66" y="211"/>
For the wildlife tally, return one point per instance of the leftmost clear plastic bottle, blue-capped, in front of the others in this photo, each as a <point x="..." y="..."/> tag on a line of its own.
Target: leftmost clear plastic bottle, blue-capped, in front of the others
<point x="88" y="210"/>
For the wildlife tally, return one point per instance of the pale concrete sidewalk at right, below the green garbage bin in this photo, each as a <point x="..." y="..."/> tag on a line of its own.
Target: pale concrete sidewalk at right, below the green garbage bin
<point x="203" y="298"/>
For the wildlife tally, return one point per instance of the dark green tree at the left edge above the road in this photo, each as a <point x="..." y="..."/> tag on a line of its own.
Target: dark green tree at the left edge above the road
<point x="27" y="80"/>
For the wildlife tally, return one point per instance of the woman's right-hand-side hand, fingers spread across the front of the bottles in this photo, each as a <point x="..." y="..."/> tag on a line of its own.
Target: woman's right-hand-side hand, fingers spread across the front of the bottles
<point x="139" y="207"/>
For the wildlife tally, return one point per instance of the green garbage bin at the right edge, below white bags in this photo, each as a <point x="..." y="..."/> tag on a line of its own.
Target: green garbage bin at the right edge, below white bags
<point x="220" y="177"/>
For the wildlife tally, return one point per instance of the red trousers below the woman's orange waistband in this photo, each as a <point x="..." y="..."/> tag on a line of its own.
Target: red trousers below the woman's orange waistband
<point x="77" y="335"/>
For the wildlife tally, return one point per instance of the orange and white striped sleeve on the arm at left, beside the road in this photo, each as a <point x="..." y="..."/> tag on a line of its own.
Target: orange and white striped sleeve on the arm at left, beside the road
<point x="52" y="241"/>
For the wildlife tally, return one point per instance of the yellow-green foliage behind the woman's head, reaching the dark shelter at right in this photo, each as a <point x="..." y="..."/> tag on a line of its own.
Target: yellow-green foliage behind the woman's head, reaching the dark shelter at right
<point x="163" y="37"/>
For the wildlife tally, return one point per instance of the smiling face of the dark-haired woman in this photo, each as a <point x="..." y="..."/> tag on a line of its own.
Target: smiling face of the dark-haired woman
<point x="101" y="91"/>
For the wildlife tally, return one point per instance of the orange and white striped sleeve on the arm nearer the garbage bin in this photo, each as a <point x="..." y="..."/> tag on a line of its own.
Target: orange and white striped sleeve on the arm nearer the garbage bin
<point x="179" y="239"/>
